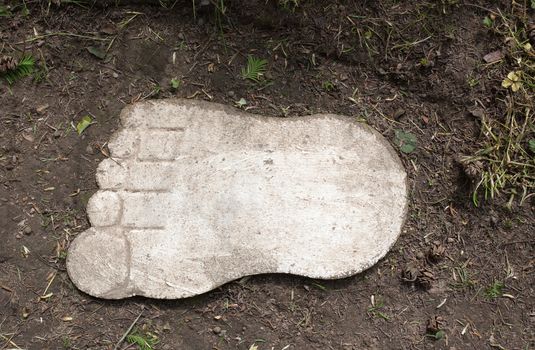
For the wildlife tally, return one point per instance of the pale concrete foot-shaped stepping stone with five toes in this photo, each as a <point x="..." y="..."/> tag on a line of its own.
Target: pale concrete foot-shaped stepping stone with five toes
<point x="196" y="194"/>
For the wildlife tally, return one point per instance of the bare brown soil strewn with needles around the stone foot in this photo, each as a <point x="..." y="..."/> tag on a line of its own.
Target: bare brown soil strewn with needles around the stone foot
<point x="459" y="277"/>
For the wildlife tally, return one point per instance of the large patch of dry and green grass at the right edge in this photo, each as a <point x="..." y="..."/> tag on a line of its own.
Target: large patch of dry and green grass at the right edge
<point x="505" y="162"/>
